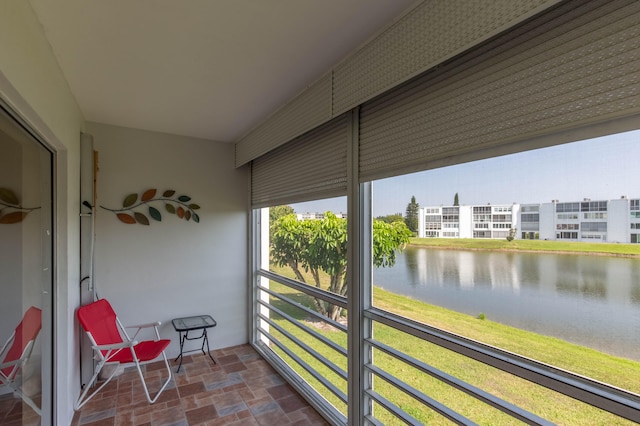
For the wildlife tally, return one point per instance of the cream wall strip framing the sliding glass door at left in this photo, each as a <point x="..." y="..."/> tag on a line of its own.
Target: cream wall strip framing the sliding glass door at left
<point x="32" y="84"/>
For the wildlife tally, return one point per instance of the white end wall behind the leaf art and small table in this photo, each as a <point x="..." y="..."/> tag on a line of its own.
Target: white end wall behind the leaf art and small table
<point x="174" y="267"/>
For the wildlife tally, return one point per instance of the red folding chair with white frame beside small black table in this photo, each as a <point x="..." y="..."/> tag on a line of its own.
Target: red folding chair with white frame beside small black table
<point x="112" y="345"/>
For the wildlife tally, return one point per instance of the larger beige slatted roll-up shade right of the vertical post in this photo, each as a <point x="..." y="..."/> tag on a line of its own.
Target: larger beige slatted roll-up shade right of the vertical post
<point x="576" y="64"/>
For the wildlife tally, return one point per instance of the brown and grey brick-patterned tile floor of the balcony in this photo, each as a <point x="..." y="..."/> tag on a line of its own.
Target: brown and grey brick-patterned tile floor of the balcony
<point x="241" y="389"/>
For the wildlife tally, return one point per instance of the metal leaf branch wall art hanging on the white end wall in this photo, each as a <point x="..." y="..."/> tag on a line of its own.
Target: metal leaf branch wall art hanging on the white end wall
<point x="140" y="208"/>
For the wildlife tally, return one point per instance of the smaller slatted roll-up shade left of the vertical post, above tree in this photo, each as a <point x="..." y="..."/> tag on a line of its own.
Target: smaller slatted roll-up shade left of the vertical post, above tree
<point x="311" y="166"/>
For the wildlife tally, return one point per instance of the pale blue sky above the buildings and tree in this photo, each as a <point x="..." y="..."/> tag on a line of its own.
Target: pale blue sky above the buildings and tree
<point x="600" y="169"/>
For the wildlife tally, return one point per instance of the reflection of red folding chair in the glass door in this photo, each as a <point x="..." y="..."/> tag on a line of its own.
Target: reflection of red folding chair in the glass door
<point x="16" y="352"/>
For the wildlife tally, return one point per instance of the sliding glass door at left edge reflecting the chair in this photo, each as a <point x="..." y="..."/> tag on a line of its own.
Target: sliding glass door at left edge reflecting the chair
<point x="25" y="276"/>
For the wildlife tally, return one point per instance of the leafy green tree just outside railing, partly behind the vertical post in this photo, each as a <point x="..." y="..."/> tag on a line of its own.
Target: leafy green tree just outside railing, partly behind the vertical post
<point x="316" y="246"/>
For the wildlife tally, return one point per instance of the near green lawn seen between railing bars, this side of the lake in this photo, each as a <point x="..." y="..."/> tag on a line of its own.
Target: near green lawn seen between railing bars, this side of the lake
<point x="552" y="406"/>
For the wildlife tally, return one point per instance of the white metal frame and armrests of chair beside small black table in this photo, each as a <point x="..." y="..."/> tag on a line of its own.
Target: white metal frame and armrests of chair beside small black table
<point x="103" y="359"/>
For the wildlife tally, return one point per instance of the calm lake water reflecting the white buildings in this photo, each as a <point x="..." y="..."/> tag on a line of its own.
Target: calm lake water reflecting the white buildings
<point x="589" y="300"/>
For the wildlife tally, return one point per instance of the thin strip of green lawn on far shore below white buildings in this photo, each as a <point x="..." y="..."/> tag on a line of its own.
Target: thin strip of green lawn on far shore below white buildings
<point x="610" y="249"/>
